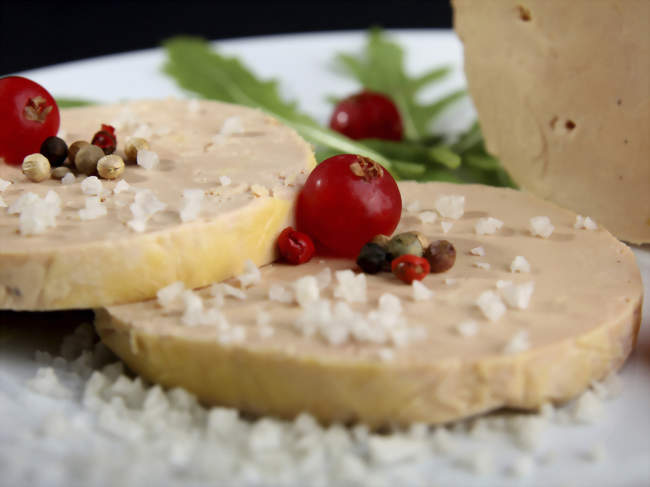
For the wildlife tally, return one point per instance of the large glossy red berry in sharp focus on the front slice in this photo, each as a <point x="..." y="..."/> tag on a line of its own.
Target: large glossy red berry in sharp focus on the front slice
<point x="346" y="201"/>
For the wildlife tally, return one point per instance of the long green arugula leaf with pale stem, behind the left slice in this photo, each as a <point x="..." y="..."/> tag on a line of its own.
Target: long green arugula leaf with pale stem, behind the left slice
<point x="203" y="71"/>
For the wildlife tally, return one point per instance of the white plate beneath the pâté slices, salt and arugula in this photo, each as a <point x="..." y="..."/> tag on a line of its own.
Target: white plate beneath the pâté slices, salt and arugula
<point x="302" y="64"/>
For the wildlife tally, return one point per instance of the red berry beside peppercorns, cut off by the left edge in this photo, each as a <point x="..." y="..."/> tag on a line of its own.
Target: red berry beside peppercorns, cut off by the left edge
<point x="28" y="116"/>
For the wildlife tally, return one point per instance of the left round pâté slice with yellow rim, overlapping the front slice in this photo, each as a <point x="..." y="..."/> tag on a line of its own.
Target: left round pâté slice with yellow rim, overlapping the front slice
<point x="216" y="188"/>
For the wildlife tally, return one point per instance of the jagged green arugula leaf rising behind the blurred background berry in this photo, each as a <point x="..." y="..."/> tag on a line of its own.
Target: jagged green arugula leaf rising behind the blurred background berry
<point x="380" y="67"/>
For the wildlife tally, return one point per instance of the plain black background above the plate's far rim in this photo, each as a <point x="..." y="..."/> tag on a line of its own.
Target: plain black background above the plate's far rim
<point x="40" y="33"/>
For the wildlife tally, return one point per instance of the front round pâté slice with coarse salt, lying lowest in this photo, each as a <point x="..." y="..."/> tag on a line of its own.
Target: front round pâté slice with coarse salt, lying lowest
<point x="519" y="320"/>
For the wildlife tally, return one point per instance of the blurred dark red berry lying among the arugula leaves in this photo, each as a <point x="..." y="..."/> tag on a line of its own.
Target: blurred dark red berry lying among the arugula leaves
<point x="367" y="115"/>
